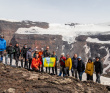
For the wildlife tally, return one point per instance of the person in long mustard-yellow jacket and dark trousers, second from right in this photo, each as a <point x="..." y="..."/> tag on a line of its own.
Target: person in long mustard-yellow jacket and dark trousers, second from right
<point x="89" y="69"/>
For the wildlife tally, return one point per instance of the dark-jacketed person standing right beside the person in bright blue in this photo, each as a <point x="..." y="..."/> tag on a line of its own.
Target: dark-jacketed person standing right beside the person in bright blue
<point x="10" y="51"/>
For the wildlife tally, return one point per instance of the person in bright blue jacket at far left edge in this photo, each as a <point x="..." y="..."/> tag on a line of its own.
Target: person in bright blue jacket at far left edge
<point x="2" y="47"/>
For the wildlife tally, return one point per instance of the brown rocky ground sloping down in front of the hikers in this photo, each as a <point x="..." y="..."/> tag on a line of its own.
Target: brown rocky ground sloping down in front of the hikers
<point x="18" y="80"/>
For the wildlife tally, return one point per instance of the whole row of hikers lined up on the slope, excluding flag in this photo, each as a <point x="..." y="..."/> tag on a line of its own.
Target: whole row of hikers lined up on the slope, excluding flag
<point x="35" y="61"/>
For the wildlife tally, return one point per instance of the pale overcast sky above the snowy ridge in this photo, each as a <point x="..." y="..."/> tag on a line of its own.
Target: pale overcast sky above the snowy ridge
<point x="56" y="11"/>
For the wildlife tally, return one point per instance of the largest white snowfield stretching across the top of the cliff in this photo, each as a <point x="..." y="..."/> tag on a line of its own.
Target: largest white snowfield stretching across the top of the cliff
<point x="67" y="32"/>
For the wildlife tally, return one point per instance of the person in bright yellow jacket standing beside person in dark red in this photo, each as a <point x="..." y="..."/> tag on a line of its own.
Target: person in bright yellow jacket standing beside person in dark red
<point x="68" y="64"/>
